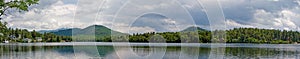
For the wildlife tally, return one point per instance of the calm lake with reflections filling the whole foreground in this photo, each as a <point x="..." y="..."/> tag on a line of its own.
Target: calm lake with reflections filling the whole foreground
<point x="105" y="50"/>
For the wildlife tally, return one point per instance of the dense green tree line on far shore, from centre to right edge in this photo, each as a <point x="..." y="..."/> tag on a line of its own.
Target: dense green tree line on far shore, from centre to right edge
<point x="236" y="35"/>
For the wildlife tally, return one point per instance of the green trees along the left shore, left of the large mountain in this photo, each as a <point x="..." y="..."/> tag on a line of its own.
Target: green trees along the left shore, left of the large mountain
<point x="25" y="36"/>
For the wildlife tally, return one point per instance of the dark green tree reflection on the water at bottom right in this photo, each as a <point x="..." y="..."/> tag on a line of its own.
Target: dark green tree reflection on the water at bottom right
<point x="244" y="53"/>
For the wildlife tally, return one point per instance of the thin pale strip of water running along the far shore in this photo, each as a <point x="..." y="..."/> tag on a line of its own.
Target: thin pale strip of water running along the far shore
<point x="156" y="44"/>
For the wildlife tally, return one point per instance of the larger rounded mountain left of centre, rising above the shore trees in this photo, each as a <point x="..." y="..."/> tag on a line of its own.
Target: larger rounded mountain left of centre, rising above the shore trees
<point x="97" y="30"/>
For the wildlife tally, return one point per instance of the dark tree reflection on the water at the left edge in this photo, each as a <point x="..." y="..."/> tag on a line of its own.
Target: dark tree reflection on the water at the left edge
<point x="35" y="52"/>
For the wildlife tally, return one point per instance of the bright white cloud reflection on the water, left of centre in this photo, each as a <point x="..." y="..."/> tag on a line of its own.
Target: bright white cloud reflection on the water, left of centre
<point x="137" y="53"/>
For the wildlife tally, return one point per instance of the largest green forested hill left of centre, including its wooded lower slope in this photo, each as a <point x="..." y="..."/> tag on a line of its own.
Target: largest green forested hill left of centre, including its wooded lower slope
<point x="89" y="33"/>
